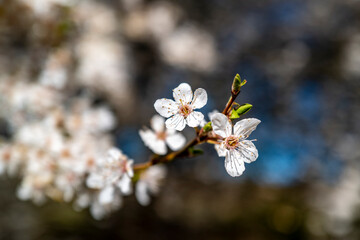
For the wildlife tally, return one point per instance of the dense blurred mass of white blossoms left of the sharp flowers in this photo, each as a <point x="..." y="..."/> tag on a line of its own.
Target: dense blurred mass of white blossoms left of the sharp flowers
<point x="65" y="153"/>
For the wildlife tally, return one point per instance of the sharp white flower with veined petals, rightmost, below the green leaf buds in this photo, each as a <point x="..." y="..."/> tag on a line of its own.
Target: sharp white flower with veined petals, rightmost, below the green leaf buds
<point x="234" y="145"/>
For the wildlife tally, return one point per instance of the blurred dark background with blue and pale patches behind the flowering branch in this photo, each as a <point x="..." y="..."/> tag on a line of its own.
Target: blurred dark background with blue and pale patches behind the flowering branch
<point x="302" y="63"/>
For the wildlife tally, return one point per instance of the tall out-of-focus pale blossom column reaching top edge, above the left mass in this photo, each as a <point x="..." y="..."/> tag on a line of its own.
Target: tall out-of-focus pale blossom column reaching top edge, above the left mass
<point x="102" y="56"/>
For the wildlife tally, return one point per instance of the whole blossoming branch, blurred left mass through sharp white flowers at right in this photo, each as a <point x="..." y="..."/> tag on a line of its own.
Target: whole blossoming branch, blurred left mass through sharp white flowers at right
<point x="62" y="149"/>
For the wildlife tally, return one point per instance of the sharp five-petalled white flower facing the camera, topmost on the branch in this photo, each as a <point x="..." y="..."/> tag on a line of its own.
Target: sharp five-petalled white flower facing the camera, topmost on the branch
<point x="181" y="111"/>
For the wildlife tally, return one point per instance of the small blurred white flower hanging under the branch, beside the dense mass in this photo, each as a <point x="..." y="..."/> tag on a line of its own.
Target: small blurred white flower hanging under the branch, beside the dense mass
<point x="149" y="182"/>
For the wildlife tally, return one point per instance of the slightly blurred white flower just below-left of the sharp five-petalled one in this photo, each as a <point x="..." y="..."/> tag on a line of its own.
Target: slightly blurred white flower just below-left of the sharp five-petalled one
<point x="156" y="140"/>
